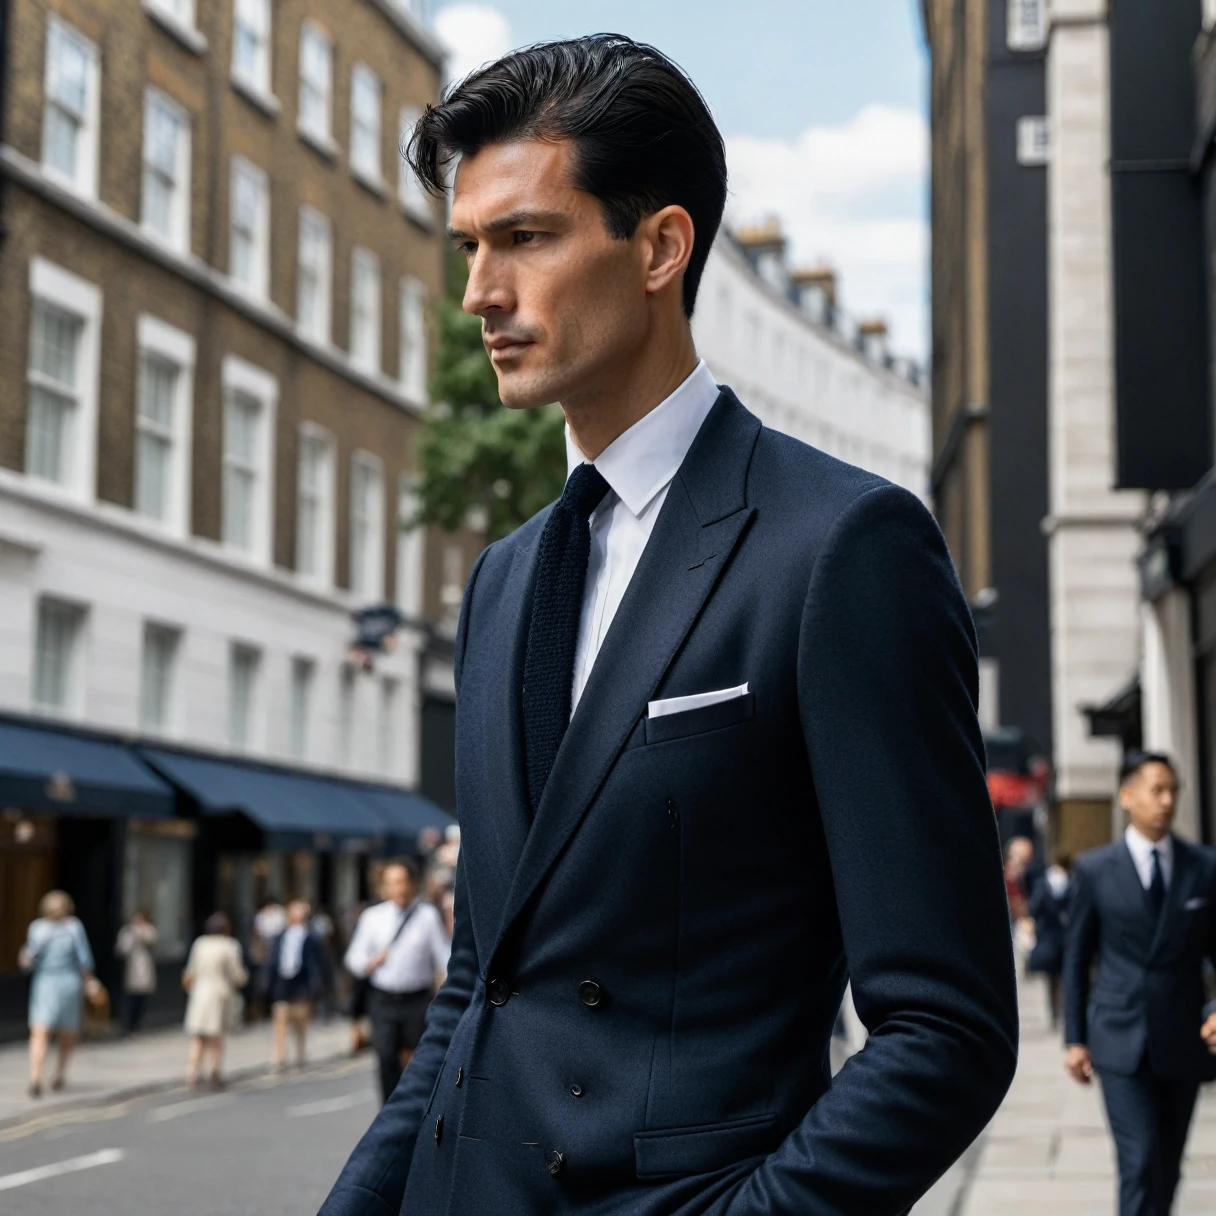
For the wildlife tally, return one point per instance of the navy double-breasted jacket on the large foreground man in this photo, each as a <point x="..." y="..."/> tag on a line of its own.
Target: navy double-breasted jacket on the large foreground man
<point x="644" y="979"/>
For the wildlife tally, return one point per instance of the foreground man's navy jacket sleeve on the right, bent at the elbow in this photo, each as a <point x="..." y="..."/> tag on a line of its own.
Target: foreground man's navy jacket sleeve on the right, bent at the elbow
<point x="888" y="688"/>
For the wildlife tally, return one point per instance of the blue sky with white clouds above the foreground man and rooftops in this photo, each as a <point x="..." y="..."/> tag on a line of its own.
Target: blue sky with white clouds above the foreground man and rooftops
<point x="823" y="106"/>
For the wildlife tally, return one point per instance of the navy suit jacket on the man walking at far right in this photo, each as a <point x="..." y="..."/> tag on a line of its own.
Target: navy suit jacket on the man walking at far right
<point x="1149" y="1000"/>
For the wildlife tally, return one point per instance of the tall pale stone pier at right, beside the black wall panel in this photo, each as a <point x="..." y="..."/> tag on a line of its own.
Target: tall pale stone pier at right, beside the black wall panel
<point x="1094" y="531"/>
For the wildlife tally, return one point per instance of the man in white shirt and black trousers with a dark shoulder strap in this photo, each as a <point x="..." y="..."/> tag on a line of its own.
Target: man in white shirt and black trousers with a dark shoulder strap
<point x="401" y="948"/>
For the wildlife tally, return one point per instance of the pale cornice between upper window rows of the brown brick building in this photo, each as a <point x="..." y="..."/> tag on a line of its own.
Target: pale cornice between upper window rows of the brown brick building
<point x="104" y="219"/>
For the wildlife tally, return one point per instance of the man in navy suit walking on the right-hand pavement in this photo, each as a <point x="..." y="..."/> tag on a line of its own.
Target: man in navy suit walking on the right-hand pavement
<point x="1144" y="910"/>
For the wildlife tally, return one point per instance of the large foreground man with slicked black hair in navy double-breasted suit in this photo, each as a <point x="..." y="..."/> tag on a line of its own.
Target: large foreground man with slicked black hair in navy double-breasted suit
<point x="718" y="634"/>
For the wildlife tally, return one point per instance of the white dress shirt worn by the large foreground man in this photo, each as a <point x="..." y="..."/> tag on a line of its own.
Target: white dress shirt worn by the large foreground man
<point x="639" y="466"/>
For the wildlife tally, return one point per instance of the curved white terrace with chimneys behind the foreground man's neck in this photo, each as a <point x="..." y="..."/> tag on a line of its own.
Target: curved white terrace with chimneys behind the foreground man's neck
<point x="775" y="345"/>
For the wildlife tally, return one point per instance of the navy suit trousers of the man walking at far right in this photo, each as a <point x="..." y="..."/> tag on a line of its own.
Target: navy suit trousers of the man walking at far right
<point x="1150" y="1117"/>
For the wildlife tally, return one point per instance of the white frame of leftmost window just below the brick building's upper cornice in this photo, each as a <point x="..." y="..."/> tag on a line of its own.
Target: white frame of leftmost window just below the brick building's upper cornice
<point x="60" y="289"/>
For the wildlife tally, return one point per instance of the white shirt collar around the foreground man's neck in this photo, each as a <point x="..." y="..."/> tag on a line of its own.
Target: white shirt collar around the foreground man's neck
<point x="643" y="460"/>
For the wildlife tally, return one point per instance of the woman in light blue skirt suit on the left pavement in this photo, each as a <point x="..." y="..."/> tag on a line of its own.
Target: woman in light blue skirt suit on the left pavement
<point x="58" y="953"/>
